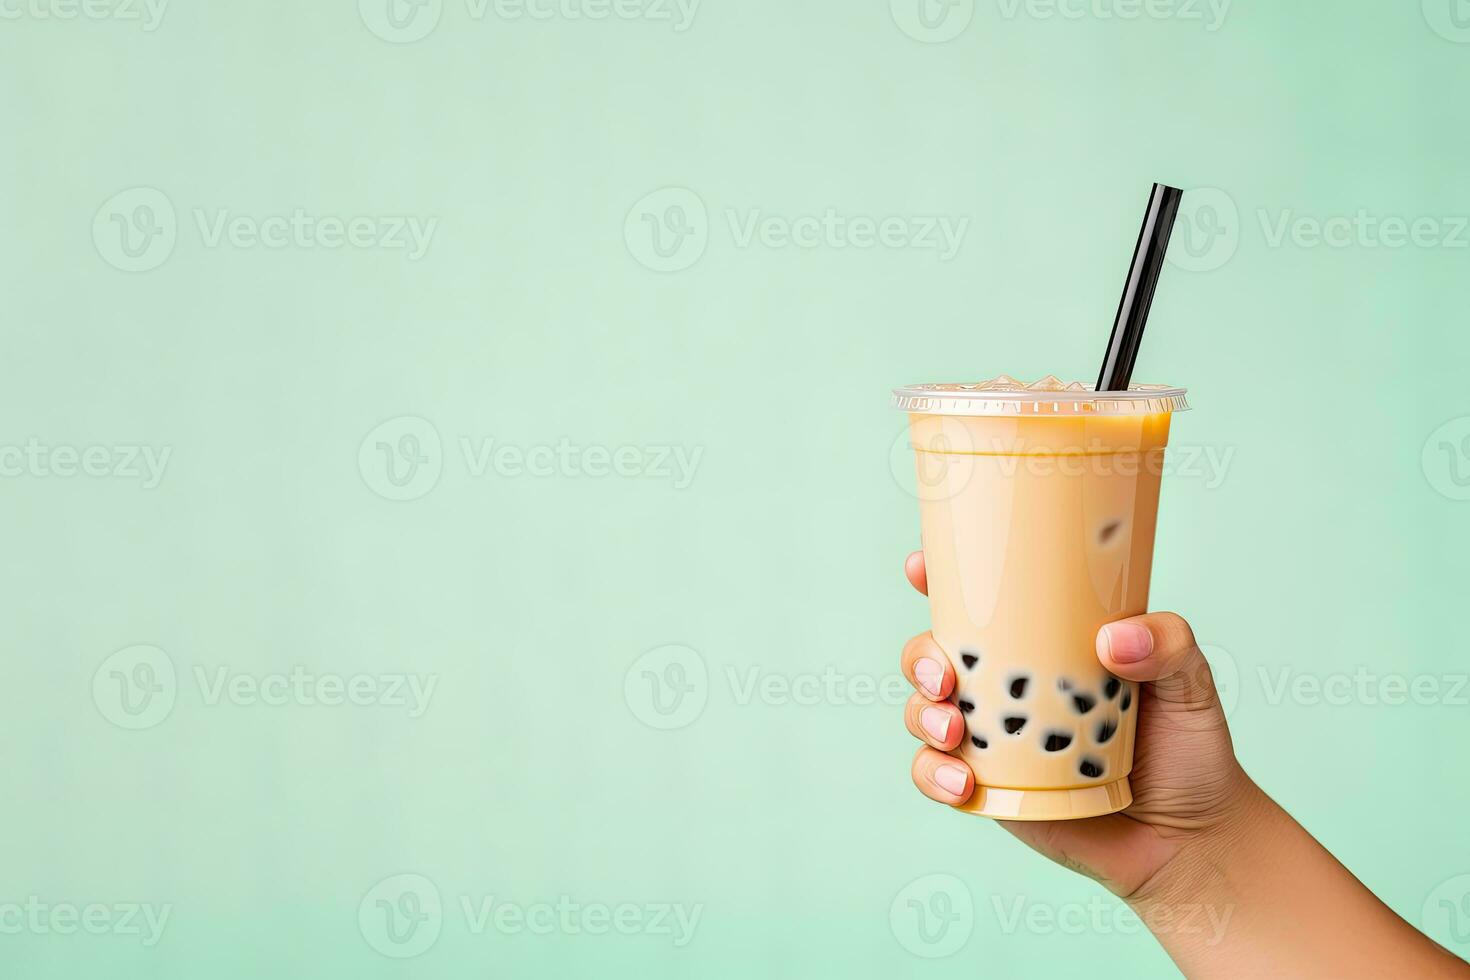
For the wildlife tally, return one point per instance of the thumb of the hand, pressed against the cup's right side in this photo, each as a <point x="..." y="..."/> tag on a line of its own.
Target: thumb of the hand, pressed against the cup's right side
<point x="1161" y="649"/>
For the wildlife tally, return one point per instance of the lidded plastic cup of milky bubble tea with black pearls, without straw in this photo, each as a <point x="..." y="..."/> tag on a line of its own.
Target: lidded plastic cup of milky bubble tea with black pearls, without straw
<point x="1037" y="508"/>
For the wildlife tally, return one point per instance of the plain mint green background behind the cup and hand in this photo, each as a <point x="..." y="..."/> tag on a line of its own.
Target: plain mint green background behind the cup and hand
<point x="1325" y="371"/>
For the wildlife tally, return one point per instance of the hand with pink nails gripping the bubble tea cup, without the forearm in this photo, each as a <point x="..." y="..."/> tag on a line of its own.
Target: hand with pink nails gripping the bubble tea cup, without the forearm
<point x="1187" y="782"/>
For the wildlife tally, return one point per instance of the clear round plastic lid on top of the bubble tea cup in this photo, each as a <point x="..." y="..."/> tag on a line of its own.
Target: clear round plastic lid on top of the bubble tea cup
<point x="1005" y="396"/>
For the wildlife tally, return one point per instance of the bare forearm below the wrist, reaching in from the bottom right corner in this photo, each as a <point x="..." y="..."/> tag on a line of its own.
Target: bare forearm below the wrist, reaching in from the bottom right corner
<point x="1268" y="901"/>
